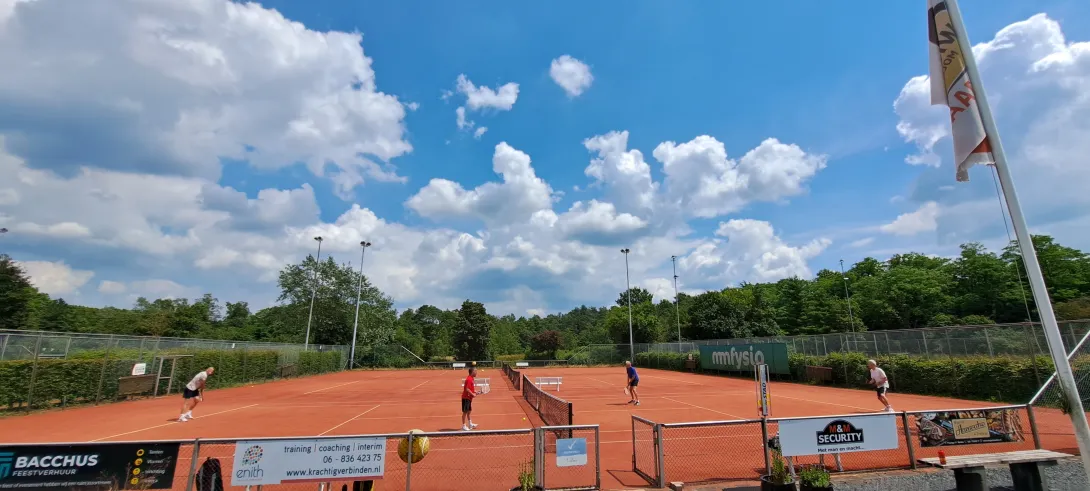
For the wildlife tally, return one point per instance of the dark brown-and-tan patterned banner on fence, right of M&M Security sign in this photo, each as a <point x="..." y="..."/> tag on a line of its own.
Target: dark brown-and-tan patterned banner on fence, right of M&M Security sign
<point x="968" y="428"/>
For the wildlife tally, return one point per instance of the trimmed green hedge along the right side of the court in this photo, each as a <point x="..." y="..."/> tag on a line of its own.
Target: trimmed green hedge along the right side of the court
<point x="992" y="379"/>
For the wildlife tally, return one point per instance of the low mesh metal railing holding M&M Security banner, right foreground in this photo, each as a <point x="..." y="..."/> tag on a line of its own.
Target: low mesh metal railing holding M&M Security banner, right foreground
<point x="694" y="452"/>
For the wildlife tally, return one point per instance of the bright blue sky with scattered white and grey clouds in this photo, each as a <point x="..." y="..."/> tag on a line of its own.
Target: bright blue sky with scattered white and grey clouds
<point x="173" y="149"/>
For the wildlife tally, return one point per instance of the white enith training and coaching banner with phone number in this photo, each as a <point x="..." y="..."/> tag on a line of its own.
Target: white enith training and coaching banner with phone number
<point x="273" y="462"/>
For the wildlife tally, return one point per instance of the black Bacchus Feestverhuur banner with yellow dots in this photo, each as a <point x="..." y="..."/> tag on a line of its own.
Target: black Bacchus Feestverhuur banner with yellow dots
<point x="105" y="466"/>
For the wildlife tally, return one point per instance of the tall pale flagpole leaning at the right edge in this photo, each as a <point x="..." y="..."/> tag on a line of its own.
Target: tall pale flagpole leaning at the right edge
<point x="1025" y="244"/>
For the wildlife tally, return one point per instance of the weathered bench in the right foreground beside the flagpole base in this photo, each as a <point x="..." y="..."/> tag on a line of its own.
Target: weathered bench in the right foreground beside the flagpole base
<point x="1025" y="469"/>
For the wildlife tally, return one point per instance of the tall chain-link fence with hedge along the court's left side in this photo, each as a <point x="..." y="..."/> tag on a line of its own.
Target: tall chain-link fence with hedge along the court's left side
<point x="46" y="369"/>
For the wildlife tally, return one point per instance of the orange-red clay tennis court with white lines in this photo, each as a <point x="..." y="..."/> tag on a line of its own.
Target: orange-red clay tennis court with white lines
<point x="392" y="402"/>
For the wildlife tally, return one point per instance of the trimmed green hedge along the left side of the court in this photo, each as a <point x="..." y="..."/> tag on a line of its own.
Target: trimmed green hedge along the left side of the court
<point x="82" y="379"/>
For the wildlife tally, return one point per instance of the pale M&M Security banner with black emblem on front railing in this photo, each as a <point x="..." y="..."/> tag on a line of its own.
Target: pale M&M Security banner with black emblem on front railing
<point x="838" y="436"/>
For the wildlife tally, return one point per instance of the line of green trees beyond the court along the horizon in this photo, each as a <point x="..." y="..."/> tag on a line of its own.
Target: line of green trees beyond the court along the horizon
<point x="909" y="291"/>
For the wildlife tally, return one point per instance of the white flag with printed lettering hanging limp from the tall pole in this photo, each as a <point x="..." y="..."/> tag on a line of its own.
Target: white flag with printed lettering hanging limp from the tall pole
<point x="951" y="87"/>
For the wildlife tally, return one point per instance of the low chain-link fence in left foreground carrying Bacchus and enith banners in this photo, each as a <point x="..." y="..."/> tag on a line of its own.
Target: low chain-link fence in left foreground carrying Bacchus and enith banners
<point x="488" y="461"/>
